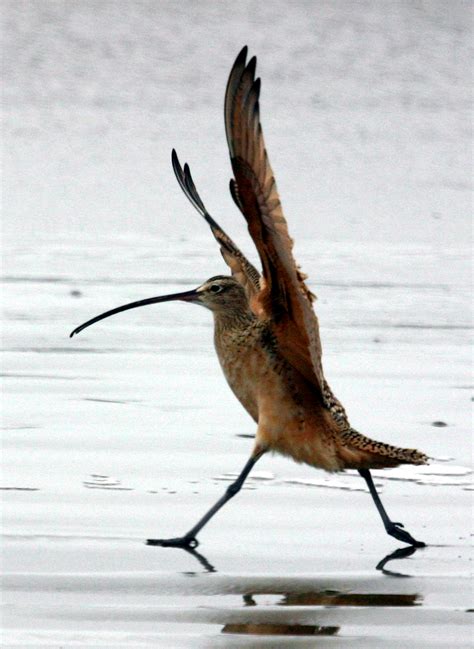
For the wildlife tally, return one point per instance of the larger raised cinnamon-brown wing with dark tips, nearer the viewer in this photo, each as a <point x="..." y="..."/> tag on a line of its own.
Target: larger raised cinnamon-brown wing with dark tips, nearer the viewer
<point x="284" y="299"/>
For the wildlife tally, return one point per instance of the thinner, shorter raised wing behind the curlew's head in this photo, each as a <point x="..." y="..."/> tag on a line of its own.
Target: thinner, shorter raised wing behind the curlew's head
<point x="241" y="268"/>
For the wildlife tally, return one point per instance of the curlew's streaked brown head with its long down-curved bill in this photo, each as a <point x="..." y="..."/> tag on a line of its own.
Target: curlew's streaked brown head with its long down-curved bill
<point x="221" y="294"/>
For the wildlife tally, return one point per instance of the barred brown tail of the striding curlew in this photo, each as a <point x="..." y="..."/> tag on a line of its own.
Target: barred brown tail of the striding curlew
<point x="360" y="452"/>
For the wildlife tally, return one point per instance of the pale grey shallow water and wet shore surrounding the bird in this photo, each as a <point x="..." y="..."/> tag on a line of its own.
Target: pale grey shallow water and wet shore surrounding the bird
<point x="128" y="430"/>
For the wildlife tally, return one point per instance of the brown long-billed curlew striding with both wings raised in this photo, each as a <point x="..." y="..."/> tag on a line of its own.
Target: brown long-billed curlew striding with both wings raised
<point x="266" y="332"/>
